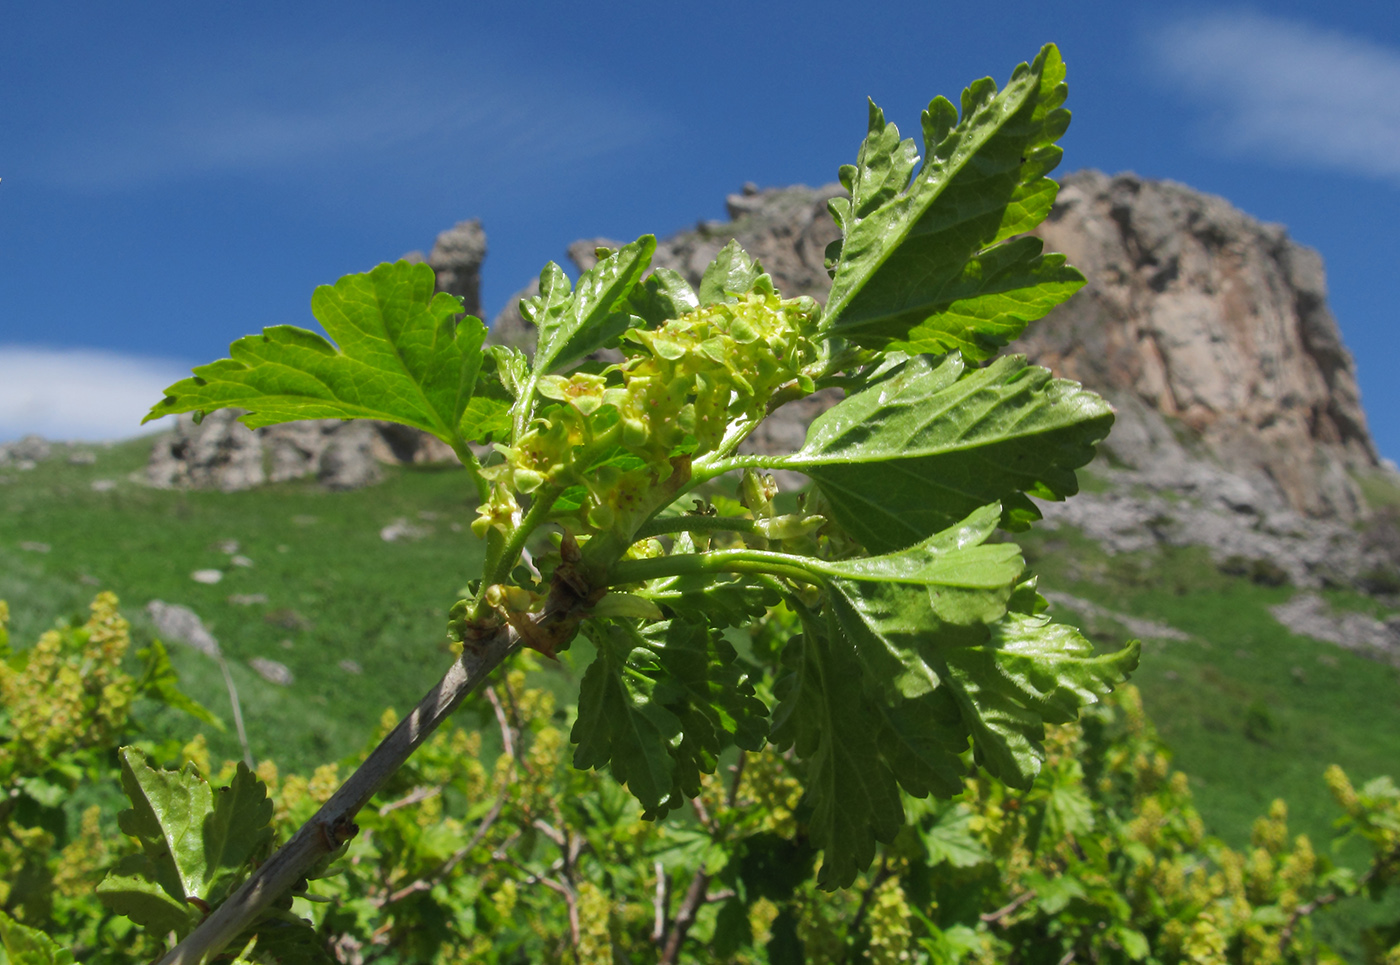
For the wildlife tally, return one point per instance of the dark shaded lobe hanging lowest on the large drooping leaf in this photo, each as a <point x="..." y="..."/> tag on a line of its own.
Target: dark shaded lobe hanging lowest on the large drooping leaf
<point x="825" y="715"/>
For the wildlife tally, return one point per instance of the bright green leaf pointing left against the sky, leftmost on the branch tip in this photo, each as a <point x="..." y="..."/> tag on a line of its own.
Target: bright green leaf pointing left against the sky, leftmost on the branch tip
<point x="401" y="358"/>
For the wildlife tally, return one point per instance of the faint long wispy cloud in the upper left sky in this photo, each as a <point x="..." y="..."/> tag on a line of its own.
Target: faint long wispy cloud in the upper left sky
<point x="335" y="110"/>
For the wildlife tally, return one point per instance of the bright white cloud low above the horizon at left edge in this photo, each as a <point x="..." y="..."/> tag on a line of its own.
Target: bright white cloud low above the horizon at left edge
<point x="80" y="394"/>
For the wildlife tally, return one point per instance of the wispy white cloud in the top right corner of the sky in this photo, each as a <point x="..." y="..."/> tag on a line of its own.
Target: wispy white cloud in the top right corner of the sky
<point x="1287" y="92"/>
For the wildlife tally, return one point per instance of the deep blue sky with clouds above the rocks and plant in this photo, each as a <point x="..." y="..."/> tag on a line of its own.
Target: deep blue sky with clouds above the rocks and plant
<point x="177" y="176"/>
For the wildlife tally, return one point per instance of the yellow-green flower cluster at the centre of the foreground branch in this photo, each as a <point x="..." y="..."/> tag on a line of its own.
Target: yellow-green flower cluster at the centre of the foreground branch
<point x="677" y="394"/>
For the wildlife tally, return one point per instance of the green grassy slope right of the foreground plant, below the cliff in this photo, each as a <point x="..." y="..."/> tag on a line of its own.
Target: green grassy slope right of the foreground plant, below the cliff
<point x="1249" y="711"/>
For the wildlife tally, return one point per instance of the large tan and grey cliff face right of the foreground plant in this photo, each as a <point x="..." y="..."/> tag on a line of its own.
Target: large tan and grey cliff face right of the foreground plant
<point x="1212" y="334"/>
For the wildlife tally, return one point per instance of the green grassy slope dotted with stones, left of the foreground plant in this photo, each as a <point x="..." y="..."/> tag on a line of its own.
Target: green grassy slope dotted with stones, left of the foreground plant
<point x="335" y="590"/>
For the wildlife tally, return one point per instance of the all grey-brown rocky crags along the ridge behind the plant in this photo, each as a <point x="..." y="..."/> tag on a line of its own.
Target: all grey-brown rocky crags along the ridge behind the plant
<point x="1240" y="419"/>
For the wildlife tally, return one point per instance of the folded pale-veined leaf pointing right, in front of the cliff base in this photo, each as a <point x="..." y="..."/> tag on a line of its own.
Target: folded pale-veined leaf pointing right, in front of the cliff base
<point x="933" y="442"/>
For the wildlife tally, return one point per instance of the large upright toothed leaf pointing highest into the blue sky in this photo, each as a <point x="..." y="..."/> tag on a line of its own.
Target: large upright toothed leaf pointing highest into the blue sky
<point x="925" y="256"/>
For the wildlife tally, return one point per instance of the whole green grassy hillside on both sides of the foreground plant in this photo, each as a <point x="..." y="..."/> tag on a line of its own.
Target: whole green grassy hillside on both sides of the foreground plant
<point x="1251" y="711"/>
